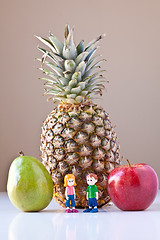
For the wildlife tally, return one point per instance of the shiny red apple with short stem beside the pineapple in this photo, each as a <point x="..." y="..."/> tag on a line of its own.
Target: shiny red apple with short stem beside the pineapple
<point x="132" y="187"/>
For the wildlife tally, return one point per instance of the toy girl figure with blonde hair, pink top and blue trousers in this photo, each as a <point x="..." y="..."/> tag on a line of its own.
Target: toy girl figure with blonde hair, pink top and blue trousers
<point x="69" y="183"/>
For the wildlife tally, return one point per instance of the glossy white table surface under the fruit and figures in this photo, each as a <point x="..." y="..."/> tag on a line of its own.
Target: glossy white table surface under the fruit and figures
<point x="53" y="223"/>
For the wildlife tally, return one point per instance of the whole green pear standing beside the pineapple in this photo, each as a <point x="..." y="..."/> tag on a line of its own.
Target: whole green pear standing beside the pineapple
<point x="29" y="186"/>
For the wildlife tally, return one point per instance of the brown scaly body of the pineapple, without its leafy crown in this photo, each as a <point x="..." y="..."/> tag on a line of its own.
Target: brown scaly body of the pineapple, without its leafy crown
<point x="79" y="139"/>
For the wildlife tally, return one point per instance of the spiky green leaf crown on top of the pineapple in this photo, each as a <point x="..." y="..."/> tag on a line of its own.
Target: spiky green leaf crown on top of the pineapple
<point x="74" y="73"/>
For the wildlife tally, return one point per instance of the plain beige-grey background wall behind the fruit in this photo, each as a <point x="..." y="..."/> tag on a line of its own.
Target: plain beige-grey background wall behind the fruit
<point x="131" y="46"/>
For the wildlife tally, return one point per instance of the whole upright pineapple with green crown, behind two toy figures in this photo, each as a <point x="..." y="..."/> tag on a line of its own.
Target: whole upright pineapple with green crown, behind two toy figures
<point x="77" y="136"/>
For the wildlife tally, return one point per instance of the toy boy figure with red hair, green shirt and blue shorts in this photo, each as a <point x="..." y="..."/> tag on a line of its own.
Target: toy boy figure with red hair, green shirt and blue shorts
<point x="92" y="193"/>
